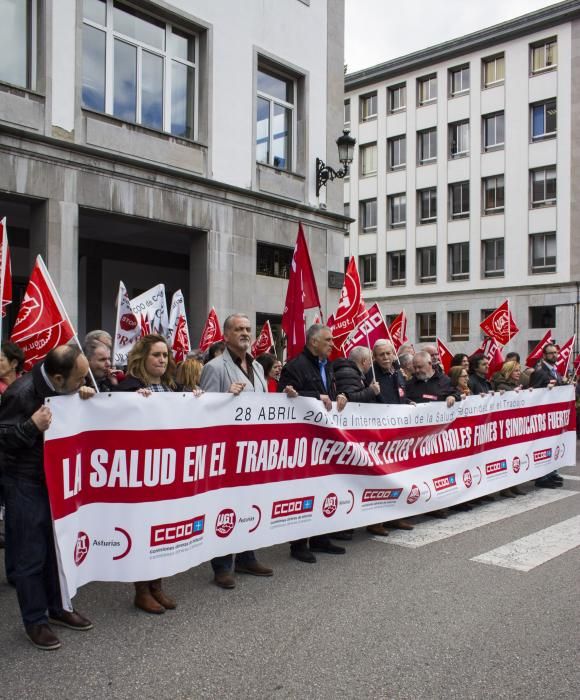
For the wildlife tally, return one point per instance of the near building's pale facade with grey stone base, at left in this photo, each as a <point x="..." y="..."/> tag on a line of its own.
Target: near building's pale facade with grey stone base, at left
<point x="170" y="142"/>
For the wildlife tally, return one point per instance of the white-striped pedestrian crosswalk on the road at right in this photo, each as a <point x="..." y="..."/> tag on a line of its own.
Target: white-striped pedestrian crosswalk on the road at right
<point x="523" y="554"/>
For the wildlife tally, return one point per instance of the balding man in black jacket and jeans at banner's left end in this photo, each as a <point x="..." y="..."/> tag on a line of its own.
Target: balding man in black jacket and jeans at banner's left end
<point x="23" y="420"/>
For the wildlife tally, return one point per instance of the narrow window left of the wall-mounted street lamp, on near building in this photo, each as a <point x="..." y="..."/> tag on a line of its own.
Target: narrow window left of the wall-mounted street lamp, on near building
<point x="275" y="109"/>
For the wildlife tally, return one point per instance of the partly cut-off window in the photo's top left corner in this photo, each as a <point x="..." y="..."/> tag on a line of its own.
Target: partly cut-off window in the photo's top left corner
<point x="18" y="41"/>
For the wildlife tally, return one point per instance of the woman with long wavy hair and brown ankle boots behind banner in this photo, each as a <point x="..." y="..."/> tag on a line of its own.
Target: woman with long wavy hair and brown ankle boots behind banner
<point x="150" y="369"/>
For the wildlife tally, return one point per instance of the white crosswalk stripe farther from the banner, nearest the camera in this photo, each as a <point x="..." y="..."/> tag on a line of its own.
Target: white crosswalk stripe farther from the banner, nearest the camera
<point x="535" y="549"/>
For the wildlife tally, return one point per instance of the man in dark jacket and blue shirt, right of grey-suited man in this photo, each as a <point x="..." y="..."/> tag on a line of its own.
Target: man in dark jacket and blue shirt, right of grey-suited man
<point x="310" y="374"/>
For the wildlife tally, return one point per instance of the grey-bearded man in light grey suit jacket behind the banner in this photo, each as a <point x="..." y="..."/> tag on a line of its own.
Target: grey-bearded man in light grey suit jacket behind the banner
<point x="233" y="372"/>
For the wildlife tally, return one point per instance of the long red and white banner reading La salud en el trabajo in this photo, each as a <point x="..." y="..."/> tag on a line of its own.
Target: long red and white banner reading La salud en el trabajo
<point x="144" y="487"/>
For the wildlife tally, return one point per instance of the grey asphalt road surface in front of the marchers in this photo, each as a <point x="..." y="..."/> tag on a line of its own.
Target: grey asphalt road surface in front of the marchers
<point x="385" y="621"/>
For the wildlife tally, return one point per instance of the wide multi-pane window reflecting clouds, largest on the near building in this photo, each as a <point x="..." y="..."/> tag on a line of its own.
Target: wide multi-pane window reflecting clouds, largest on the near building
<point x="150" y="76"/>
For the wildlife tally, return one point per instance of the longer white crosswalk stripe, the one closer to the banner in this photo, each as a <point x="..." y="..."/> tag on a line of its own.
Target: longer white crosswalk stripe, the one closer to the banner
<point x="433" y="530"/>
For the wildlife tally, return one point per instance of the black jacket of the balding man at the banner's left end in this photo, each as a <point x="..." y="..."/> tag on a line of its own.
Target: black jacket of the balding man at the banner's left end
<point x="21" y="442"/>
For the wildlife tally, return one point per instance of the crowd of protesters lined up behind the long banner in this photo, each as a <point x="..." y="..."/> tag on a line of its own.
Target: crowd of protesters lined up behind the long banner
<point x="380" y="376"/>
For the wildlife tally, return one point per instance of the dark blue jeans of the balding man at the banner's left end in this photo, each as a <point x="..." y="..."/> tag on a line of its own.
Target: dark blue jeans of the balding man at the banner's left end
<point x="33" y="553"/>
